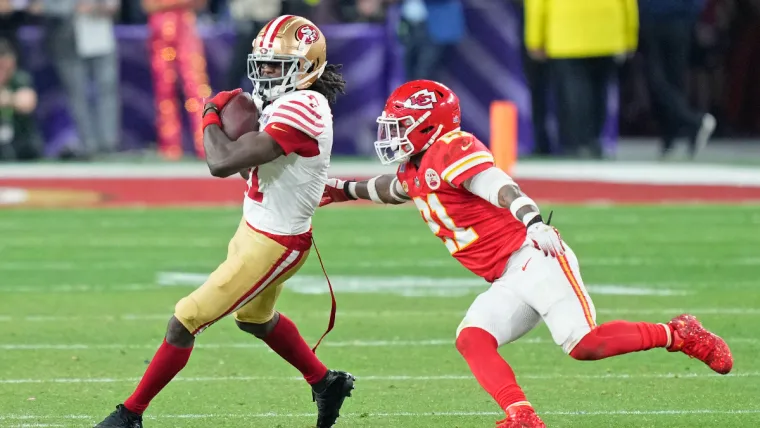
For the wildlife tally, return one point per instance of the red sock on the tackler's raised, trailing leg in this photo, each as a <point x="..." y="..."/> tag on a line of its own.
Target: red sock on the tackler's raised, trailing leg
<point x="621" y="337"/>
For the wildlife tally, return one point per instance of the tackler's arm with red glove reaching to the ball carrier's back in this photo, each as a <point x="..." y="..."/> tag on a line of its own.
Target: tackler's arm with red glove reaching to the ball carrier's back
<point x="383" y="189"/>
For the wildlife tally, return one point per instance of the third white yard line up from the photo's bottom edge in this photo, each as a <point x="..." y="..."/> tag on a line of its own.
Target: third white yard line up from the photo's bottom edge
<point x="257" y="345"/>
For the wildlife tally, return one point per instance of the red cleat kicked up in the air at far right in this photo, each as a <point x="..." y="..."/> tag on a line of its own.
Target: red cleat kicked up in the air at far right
<point x="697" y="342"/>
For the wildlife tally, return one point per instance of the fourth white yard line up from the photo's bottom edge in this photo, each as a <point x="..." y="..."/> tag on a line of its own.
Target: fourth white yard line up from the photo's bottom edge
<point x="395" y="314"/>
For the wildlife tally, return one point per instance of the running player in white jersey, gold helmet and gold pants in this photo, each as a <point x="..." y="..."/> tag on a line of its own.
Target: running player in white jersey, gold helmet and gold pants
<point x="286" y="165"/>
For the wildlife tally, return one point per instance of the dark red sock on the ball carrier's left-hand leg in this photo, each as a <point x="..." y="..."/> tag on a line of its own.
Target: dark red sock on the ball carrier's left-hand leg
<point x="167" y="362"/>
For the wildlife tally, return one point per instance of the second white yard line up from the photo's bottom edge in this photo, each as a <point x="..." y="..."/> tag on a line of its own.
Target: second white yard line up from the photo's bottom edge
<point x="393" y="378"/>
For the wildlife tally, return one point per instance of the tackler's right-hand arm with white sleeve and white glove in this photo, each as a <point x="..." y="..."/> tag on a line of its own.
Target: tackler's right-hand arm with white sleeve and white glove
<point x="495" y="186"/>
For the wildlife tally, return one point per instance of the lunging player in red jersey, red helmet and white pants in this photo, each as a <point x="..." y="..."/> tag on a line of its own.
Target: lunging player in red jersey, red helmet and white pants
<point x="498" y="233"/>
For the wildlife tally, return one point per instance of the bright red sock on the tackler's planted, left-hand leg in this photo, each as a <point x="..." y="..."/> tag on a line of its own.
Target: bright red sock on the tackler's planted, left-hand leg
<point x="479" y="349"/>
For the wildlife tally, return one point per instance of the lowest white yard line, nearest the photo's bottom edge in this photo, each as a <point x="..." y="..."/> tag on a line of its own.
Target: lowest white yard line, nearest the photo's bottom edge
<point x="440" y="414"/>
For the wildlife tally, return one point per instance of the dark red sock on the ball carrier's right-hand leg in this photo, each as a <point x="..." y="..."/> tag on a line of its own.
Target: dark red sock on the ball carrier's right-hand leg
<point x="287" y="342"/>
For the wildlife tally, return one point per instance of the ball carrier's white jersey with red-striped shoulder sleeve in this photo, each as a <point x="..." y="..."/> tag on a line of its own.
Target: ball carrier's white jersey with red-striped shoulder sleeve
<point x="283" y="194"/>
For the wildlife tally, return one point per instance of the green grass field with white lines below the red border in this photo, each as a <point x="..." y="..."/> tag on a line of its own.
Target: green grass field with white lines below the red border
<point x="81" y="313"/>
